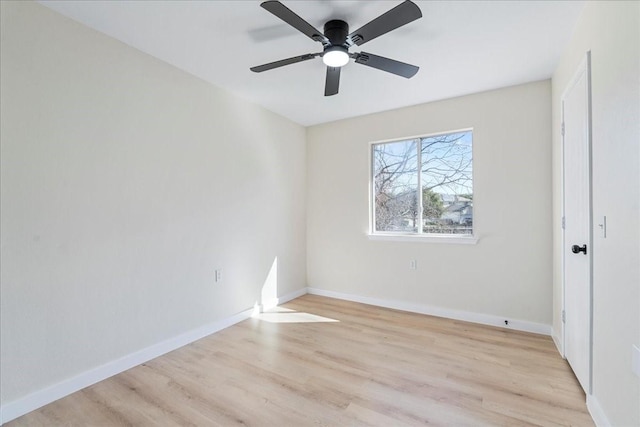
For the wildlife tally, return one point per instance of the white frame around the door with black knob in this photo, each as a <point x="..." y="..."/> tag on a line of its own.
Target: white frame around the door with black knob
<point x="583" y="69"/>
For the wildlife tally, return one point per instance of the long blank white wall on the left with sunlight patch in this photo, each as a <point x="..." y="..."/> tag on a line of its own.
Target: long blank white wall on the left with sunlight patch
<point x="125" y="183"/>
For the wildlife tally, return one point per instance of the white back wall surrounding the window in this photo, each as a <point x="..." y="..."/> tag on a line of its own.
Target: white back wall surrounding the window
<point x="507" y="273"/>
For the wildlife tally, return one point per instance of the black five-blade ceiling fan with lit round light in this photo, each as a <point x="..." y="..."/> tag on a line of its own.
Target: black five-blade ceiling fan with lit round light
<point x="336" y="41"/>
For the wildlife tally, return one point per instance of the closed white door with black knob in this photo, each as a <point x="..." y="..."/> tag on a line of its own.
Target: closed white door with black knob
<point x="577" y="251"/>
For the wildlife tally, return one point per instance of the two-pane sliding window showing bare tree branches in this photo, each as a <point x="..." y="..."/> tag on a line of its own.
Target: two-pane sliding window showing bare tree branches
<point x="423" y="186"/>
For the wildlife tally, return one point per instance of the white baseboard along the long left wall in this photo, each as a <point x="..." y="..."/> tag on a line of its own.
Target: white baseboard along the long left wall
<point x="37" y="399"/>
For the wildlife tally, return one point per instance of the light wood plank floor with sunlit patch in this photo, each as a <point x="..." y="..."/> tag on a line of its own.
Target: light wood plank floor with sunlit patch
<point x="371" y="366"/>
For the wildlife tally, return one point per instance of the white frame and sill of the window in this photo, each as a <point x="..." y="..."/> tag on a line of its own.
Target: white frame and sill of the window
<point x="417" y="236"/>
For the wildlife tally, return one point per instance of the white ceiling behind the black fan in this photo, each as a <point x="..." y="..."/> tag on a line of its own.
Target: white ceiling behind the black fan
<point x="461" y="47"/>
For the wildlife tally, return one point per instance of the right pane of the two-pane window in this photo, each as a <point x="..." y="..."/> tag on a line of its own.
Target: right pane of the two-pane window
<point x="447" y="183"/>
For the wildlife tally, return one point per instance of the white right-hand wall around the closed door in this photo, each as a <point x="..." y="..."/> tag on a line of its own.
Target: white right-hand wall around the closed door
<point x="610" y="30"/>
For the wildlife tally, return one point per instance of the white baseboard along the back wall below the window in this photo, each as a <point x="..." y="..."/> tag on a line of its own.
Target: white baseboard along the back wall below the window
<point x="485" y="319"/>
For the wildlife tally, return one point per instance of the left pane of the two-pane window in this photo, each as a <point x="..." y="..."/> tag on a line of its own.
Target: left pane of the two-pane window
<point x="395" y="183"/>
